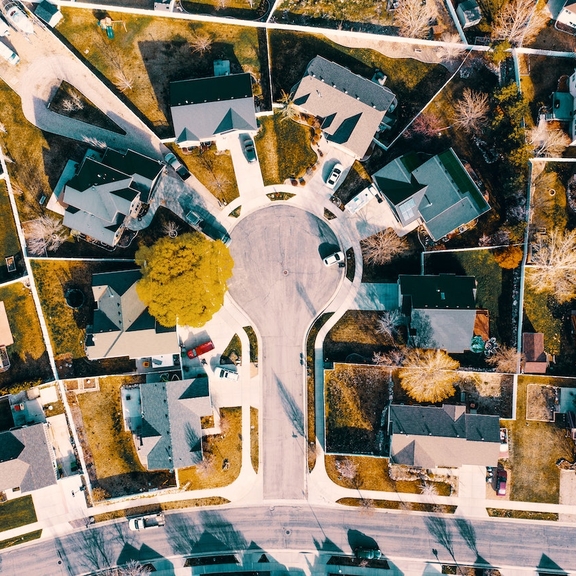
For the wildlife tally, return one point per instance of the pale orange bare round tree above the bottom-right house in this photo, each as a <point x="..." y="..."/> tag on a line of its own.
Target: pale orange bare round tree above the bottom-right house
<point x="428" y="375"/>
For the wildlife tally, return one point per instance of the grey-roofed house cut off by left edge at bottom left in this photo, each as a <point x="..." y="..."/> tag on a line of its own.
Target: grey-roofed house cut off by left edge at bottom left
<point x="26" y="458"/>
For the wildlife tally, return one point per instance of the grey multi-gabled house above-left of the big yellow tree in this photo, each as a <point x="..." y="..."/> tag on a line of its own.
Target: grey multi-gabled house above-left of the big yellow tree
<point x="105" y="190"/>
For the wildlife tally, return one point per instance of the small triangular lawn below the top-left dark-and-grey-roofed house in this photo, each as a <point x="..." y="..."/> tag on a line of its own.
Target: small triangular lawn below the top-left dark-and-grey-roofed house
<point x="214" y="169"/>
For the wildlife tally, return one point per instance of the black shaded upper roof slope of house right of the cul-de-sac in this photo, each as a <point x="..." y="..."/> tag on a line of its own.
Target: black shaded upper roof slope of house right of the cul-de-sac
<point x="445" y="291"/>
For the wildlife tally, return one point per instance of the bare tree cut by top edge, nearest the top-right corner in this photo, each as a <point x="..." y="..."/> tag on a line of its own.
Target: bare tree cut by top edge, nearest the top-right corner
<point x="518" y="21"/>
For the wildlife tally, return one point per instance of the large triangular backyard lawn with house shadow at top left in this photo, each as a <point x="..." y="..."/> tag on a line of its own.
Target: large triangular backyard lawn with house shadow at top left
<point x="154" y="51"/>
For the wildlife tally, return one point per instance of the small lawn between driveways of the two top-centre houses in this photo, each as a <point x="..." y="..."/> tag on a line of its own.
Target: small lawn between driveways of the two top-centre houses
<point x="283" y="149"/>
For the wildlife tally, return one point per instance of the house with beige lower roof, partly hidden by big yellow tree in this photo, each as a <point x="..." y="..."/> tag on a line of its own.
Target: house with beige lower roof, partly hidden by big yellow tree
<point x="121" y="324"/>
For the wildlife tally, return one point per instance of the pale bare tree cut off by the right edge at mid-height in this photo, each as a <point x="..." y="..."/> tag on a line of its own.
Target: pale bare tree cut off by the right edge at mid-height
<point x="553" y="265"/>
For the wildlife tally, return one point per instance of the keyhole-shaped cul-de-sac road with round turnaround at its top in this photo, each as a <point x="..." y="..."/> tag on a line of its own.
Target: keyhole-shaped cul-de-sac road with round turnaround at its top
<point x="282" y="285"/>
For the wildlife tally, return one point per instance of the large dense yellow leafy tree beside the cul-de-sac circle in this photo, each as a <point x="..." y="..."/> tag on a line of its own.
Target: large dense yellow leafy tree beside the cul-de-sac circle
<point x="184" y="279"/>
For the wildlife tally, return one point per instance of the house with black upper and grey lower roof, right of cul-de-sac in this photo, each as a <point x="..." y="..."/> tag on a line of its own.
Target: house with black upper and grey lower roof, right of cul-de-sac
<point x="441" y="311"/>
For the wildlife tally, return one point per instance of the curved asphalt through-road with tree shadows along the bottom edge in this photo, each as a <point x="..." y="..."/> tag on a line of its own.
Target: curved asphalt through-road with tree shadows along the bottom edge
<point x="300" y="528"/>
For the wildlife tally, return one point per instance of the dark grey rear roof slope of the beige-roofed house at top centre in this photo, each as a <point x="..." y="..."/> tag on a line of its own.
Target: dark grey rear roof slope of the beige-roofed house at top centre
<point x="351" y="84"/>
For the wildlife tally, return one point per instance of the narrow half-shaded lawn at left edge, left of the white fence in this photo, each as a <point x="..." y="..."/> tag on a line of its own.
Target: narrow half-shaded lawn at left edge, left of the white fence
<point x="28" y="356"/>
